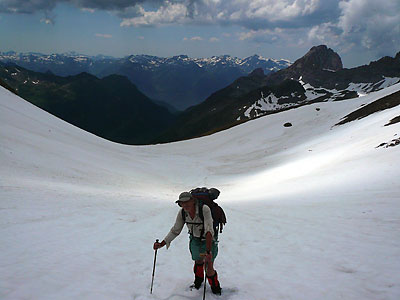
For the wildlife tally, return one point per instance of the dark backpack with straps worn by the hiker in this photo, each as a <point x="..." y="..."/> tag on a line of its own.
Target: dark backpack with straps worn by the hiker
<point x="207" y="196"/>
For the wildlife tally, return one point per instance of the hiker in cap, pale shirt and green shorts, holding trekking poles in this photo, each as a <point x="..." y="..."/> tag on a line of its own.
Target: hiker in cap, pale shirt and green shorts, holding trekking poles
<point x="202" y="239"/>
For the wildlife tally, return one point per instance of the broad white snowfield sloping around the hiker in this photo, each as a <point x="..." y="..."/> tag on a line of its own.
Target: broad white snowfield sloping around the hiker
<point x="313" y="210"/>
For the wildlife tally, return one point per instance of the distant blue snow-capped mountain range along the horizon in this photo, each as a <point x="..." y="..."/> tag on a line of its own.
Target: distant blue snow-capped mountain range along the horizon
<point x="179" y="81"/>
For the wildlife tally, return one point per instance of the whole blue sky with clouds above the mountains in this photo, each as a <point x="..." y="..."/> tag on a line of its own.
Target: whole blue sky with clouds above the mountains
<point x="359" y="30"/>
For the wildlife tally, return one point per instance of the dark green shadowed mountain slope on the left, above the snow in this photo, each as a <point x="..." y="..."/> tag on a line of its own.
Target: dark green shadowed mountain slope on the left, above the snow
<point x="111" y="107"/>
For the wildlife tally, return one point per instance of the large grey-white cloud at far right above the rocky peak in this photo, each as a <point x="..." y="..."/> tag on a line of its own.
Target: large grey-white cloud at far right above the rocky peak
<point x="364" y="25"/>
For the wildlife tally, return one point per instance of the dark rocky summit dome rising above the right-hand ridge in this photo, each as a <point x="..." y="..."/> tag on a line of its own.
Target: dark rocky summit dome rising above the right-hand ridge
<point x="319" y="58"/>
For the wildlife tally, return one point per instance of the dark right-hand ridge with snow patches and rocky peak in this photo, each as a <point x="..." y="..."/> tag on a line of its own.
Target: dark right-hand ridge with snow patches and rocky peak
<point x="318" y="76"/>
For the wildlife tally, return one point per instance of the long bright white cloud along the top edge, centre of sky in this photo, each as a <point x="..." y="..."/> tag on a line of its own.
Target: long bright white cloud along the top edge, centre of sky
<point x="248" y="13"/>
